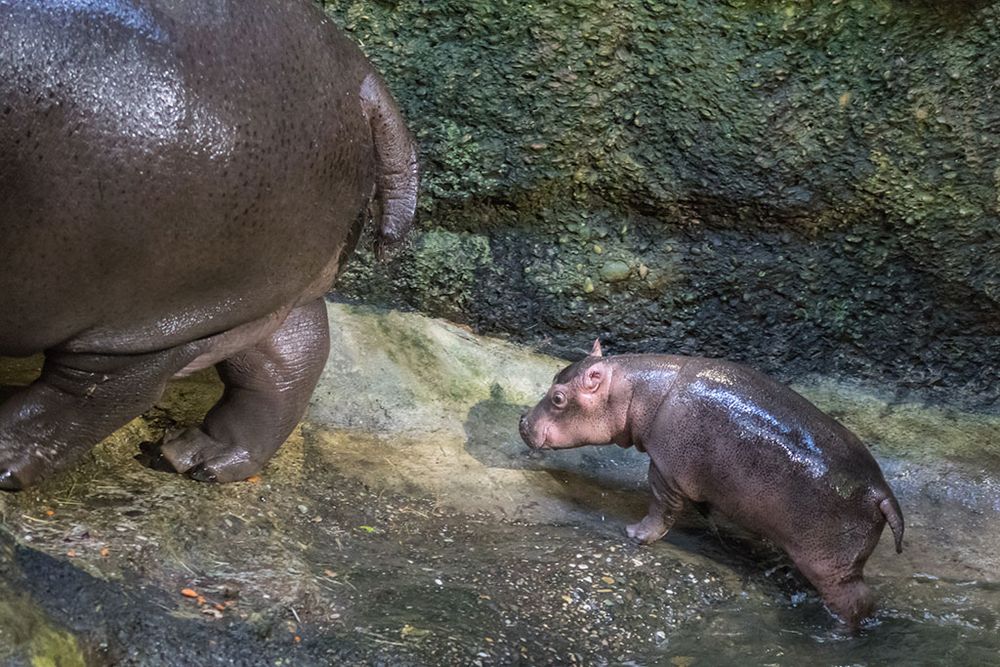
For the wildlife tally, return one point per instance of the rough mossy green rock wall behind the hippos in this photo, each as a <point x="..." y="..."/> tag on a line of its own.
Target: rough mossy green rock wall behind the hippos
<point x="808" y="186"/>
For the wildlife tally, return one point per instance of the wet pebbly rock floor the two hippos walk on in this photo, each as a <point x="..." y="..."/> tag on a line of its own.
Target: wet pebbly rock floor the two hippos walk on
<point x="405" y="523"/>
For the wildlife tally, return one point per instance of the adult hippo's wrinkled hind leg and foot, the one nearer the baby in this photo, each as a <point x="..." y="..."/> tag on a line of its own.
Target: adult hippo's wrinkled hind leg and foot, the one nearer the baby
<point x="267" y="391"/>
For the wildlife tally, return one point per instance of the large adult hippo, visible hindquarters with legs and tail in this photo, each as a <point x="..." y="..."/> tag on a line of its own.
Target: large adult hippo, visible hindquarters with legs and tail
<point x="180" y="183"/>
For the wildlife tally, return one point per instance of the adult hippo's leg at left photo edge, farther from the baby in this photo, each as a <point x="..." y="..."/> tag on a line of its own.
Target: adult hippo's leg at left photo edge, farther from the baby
<point x="78" y="400"/>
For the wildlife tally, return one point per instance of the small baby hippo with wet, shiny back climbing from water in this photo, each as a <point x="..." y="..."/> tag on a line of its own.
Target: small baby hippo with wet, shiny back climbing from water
<point x="720" y="433"/>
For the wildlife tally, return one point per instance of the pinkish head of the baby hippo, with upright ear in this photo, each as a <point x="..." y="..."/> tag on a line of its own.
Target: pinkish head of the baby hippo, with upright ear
<point x="576" y="410"/>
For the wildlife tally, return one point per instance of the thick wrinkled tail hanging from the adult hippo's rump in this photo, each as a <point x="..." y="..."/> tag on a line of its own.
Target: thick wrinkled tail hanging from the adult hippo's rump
<point x="397" y="174"/>
